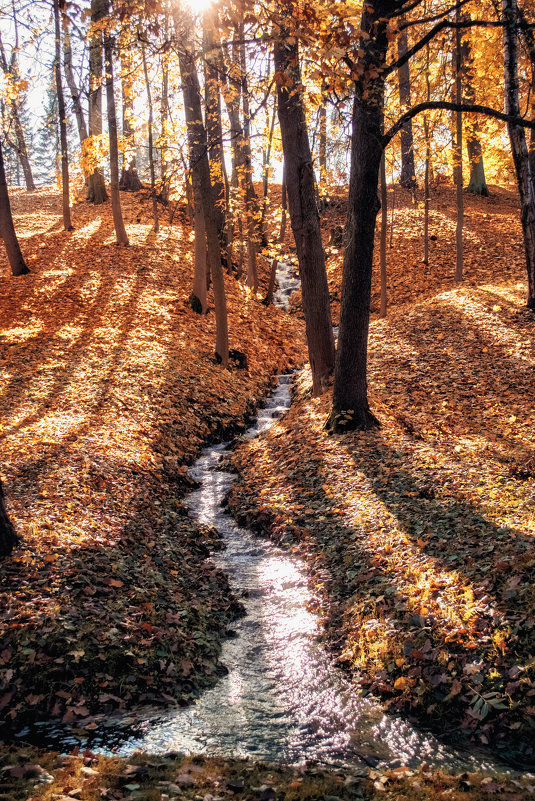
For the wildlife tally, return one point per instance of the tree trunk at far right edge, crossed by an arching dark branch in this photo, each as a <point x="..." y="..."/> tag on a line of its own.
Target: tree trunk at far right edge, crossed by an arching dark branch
<point x="519" y="147"/>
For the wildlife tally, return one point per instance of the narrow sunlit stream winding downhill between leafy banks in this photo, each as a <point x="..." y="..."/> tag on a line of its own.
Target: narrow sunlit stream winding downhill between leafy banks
<point x="283" y="699"/>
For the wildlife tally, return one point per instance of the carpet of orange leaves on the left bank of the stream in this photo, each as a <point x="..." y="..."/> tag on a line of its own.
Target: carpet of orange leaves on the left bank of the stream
<point x="108" y="391"/>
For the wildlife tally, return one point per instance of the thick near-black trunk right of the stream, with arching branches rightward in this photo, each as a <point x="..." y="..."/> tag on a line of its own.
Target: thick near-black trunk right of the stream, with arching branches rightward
<point x="350" y="409"/>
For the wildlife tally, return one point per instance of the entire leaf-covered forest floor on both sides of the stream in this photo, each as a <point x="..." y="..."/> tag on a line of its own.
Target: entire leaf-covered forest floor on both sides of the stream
<point x="418" y="536"/>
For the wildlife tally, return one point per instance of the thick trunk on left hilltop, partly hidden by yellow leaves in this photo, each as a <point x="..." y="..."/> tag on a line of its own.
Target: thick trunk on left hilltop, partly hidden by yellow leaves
<point x="96" y="187"/>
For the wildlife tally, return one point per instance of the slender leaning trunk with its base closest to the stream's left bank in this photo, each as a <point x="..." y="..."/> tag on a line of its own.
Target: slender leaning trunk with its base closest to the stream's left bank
<point x="200" y="167"/>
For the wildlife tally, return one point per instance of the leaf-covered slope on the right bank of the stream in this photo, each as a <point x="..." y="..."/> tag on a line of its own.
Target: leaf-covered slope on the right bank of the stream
<point x="419" y="536"/>
